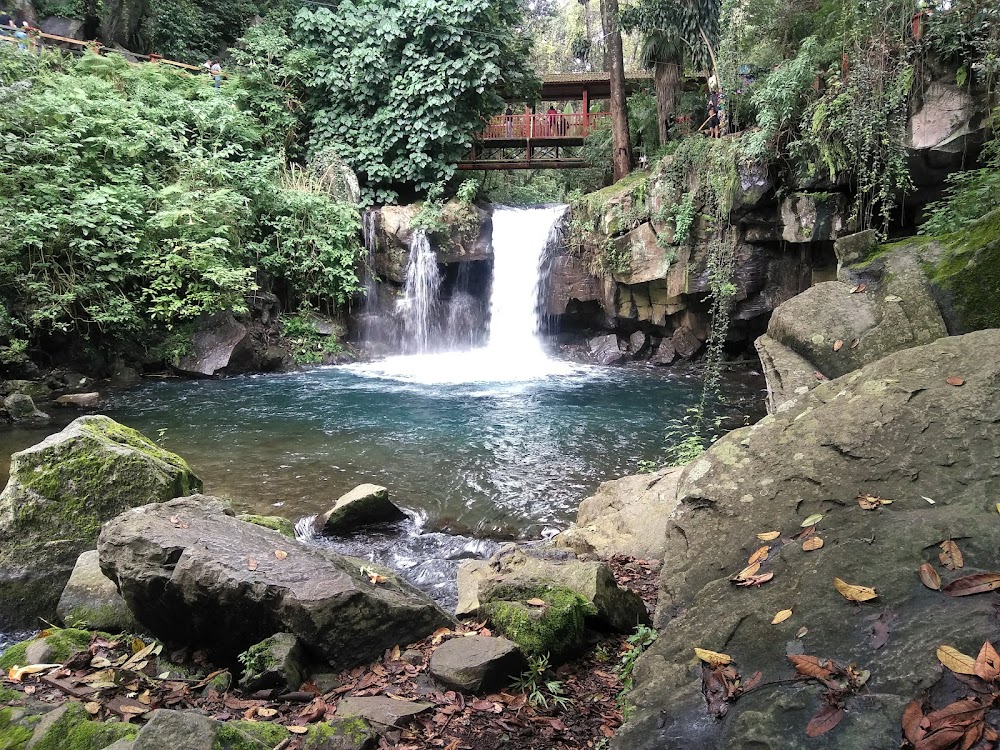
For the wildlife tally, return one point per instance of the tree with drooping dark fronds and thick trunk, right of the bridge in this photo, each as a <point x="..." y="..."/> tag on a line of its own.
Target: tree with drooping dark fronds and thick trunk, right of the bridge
<point x="674" y="30"/>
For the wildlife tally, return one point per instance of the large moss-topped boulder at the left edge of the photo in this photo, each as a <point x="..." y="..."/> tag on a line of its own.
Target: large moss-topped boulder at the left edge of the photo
<point x="60" y="492"/>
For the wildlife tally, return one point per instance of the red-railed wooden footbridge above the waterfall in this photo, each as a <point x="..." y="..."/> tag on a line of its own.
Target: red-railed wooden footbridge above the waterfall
<point x="547" y="140"/>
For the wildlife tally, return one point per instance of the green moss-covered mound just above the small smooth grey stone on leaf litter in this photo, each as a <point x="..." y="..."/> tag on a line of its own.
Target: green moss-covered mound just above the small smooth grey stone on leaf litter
<point x="556" y="629"/>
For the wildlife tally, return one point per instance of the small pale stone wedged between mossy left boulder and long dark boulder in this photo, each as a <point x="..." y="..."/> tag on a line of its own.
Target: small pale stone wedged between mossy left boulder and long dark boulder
<point x="91" y="600"/>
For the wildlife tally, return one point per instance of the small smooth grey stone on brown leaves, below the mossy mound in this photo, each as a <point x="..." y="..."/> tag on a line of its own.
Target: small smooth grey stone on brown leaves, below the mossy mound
<point x="476" y="664"/>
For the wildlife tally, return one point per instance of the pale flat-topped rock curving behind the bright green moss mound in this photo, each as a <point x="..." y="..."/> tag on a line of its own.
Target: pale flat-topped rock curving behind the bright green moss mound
<point x="616" y="607"/>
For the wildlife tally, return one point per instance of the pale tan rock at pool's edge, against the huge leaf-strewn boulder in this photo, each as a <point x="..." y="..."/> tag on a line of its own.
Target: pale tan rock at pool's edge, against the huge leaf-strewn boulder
<point x="627" y="516"/>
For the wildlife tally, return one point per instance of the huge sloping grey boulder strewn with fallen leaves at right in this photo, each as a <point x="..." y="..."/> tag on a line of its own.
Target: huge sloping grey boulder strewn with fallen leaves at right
<point x="896" y="429"/>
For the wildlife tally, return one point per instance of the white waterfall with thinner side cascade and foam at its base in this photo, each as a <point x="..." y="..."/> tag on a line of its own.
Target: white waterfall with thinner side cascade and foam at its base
<point x="521" y="237"/>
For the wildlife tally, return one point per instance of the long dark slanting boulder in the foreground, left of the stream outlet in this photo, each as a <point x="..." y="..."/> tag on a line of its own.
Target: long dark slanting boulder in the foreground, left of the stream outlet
<point x="194" y="574"/>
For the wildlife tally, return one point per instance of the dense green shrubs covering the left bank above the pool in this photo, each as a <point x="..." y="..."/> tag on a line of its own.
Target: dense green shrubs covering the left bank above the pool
<point x="137" y="198"/>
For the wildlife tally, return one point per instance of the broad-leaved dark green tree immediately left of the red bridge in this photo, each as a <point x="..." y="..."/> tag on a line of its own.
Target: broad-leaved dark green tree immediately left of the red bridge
<point x="400" y="87"/>
